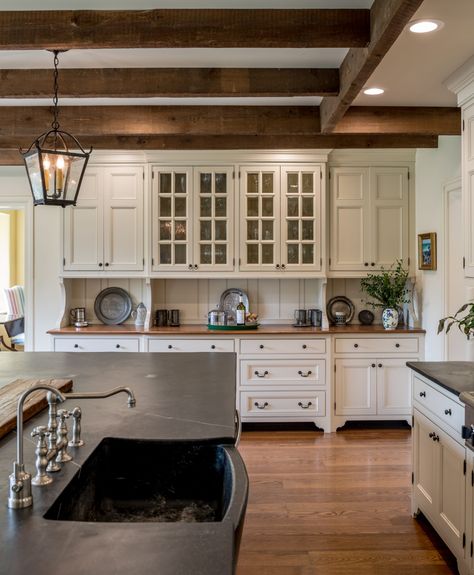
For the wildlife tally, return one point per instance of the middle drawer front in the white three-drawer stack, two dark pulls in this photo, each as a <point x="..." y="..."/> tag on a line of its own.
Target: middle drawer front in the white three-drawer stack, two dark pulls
<point x="306" y="372"/>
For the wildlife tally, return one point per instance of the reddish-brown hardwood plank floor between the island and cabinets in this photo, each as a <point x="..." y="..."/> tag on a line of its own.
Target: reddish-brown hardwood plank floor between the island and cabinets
<point x="334" y="504"/>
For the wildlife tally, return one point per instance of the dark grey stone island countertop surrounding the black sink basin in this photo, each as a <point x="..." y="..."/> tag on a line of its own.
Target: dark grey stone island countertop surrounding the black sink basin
<point x="181" y="398"/>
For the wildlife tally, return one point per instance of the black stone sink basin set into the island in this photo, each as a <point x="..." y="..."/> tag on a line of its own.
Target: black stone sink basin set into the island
<point x="134" y="480"/>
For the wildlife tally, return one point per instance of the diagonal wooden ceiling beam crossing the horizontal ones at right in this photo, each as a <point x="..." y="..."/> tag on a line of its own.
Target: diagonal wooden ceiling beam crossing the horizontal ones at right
<point x="388" y="19"/>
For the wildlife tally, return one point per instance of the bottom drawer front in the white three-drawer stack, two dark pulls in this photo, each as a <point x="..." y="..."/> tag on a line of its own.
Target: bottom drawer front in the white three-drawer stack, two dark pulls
<point x="283" y="403"/>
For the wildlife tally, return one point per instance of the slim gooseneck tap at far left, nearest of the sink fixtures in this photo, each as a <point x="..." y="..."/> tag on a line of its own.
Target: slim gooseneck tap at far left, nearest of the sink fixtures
<point x="20" y="481"/>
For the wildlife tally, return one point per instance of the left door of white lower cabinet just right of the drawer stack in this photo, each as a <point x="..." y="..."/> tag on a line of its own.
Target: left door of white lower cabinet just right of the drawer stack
<point x="355" y="387"/>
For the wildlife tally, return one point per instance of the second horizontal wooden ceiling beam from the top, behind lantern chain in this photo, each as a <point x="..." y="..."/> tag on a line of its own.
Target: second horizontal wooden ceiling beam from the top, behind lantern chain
<point x="170" y="82"/>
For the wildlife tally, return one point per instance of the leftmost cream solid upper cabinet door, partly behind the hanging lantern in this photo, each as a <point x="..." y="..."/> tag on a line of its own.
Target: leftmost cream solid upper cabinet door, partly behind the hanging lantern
<point x="83" y="237"/>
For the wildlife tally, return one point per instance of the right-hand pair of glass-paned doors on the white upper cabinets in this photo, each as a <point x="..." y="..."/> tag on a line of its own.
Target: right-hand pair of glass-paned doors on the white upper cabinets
<point x="280" y="216"/>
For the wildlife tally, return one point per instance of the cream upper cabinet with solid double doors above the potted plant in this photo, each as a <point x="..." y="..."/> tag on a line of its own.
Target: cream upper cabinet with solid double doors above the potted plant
<point x="369" y="217"/>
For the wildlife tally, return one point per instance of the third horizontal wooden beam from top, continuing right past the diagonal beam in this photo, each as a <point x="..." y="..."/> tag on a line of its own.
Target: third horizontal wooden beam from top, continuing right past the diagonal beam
<point x="229" y="121"/>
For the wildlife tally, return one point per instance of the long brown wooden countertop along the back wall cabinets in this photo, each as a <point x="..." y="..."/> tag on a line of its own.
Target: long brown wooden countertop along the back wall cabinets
<point x="262" y="330"/>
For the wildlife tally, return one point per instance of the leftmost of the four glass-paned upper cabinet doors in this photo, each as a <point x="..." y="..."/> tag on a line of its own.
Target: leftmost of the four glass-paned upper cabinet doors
<point x="172" y="216"/>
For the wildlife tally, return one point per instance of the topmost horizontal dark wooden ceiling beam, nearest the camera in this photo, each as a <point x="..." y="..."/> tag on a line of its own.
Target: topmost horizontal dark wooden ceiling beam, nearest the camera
<point x="186" y="28"/>
